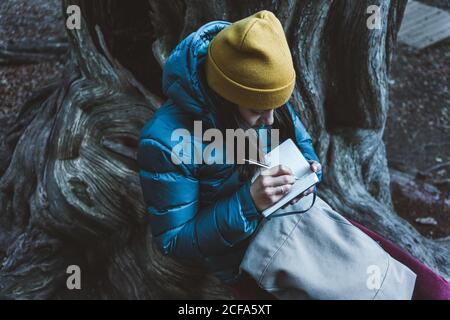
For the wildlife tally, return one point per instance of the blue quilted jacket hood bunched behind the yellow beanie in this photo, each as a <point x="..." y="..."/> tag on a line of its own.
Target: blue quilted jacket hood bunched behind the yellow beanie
<point x="183" y="75"/>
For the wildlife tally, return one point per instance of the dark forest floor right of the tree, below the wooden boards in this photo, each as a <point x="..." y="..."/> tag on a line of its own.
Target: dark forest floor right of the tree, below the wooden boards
<point x="417" y="132"/>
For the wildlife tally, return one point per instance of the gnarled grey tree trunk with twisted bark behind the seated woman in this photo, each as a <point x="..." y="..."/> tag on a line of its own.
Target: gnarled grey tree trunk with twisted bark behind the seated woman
<point x="70" y="193"/>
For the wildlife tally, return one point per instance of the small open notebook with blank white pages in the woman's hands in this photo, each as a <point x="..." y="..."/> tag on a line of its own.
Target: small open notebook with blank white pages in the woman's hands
<point x="289" y="155"/>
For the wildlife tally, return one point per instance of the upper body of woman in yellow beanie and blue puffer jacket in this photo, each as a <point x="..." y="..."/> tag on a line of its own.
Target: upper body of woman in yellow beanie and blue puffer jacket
<point x="227" y="76"/>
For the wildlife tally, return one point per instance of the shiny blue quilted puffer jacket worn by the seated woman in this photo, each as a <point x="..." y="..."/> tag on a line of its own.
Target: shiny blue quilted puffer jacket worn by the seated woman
<point x="201" y="214"/>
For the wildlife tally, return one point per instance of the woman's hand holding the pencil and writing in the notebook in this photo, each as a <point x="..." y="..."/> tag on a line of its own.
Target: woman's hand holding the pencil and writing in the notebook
<point x="271" y="185"/>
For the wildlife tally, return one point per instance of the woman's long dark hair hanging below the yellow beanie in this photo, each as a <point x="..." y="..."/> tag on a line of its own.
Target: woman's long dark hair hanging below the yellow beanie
<point x="228" y="117"/>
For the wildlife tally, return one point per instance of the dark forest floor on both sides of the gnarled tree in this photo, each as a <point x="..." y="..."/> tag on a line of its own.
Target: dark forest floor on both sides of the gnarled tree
<point x="417" y="132"/>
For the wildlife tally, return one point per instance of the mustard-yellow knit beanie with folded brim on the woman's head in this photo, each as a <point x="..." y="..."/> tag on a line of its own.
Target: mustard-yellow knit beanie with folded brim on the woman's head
<point x="249" y="63"/>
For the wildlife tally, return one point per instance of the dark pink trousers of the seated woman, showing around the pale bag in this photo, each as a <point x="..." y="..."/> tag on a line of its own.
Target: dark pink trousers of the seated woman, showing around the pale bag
<point x="429" y="285"/>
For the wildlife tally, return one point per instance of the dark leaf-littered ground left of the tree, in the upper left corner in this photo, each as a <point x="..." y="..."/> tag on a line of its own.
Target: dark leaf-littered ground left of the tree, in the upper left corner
<point x="39" y="20"/>
